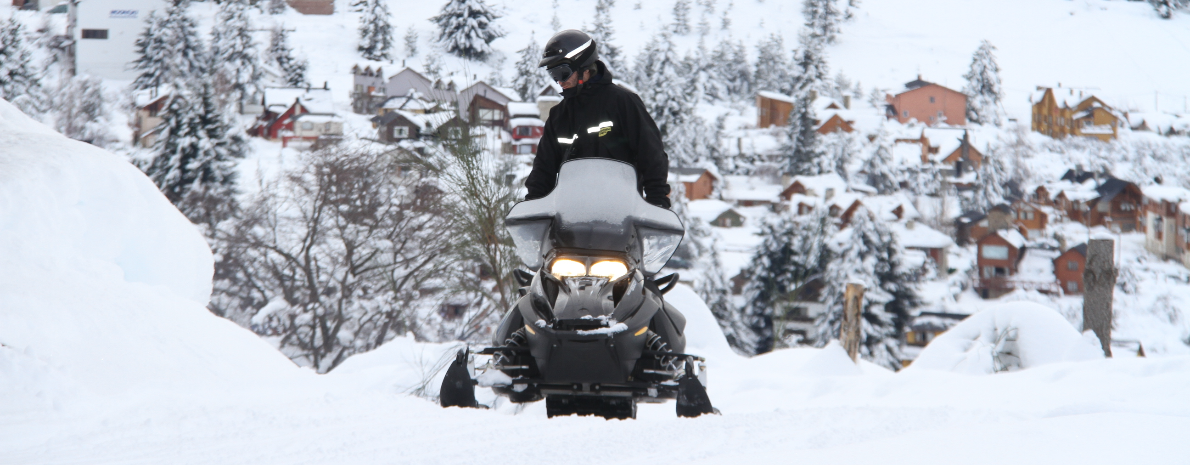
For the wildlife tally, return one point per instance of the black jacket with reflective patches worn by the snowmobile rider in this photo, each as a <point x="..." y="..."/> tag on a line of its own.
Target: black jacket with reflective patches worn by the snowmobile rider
<point x="600" y="120"/>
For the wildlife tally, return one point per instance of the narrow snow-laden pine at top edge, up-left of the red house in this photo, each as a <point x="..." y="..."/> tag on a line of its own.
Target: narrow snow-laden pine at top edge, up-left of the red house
<point x="235" y="62"/>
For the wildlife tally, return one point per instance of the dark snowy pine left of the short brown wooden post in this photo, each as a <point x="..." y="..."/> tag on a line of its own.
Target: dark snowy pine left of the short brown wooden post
<point x="792" y="254"/>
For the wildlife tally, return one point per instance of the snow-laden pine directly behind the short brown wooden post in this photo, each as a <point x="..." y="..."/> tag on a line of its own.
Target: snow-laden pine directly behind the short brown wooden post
<point x="868" y="253"/>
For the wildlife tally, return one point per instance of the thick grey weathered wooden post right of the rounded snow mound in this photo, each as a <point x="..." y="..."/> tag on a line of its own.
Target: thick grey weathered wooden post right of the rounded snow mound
<point x="1099" y="279"/>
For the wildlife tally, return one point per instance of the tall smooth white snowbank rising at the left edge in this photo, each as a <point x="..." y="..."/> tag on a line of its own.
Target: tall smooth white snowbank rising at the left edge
<point x="103" y="282"/>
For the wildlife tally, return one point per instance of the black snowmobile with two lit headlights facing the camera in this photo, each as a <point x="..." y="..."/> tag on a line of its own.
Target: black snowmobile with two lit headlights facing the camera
<point x="591" y="334"/>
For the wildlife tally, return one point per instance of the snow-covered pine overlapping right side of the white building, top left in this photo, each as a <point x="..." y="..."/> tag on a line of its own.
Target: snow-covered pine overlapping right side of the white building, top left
<point x="170" y="51"/>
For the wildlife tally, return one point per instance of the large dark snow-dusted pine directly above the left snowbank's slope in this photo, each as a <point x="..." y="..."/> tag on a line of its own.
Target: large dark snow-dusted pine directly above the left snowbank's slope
<point x="196" y="156"/>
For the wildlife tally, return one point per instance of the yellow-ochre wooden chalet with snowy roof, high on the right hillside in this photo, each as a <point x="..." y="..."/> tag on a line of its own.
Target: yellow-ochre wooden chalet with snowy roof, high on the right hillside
<point x="1060" y="112"/>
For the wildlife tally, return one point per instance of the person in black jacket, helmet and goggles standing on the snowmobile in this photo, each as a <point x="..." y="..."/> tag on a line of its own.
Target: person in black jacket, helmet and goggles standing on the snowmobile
<point x="596" y="120"/>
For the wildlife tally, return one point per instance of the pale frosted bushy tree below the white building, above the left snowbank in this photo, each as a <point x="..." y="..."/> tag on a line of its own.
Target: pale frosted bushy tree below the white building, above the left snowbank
<point x="84" y="112"/>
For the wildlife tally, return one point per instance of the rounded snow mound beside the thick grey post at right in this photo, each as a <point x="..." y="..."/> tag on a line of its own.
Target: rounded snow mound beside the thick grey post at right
<point x="1007" y="337"/>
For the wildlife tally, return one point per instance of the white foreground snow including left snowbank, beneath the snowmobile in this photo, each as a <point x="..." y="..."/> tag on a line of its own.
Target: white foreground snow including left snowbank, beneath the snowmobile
<point x="109" y="357"/>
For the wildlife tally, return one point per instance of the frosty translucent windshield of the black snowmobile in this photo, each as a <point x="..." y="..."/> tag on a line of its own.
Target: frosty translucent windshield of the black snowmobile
<point x="597" y="208"/>
